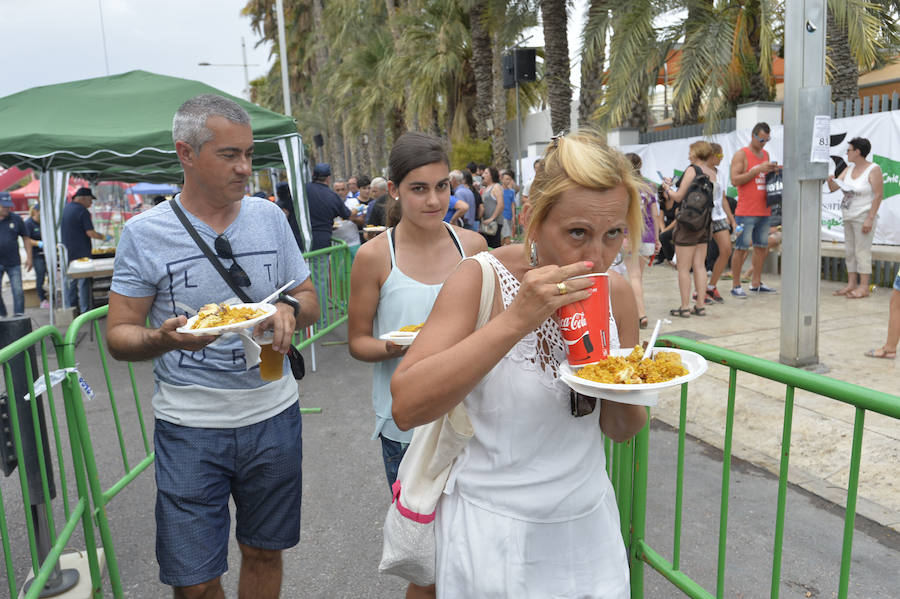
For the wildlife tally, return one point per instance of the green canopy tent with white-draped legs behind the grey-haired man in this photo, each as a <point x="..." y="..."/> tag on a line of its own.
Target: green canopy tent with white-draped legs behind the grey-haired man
<point x="120" y="128"/>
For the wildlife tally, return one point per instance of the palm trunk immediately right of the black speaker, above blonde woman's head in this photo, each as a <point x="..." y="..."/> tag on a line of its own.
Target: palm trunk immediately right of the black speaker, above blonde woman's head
<point x="556" y="63"/>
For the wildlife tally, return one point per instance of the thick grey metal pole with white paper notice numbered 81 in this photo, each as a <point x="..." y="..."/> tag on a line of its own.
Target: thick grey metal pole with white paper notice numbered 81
<point x="805" y="97"/>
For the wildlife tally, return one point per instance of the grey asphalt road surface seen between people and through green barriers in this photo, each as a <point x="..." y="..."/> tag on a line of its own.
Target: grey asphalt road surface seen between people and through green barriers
<point x="346" y="496"/>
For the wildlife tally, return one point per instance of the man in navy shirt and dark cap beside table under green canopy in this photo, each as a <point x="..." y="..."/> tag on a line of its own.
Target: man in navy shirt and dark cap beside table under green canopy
<point x="76" y="232"/>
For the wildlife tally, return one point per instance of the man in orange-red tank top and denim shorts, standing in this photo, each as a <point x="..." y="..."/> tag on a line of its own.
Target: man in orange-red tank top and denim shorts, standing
<point x="748" y="173"/>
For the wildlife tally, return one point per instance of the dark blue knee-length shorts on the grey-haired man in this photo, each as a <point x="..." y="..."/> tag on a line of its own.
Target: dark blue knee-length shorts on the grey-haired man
<point x="198" y="469"/>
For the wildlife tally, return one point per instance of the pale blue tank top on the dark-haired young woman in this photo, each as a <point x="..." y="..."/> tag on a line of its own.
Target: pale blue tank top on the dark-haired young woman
<point x="402" y="301"/>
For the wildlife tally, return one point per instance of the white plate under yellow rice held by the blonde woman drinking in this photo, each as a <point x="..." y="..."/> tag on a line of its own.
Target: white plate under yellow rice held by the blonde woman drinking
<point x="645" y="394"/>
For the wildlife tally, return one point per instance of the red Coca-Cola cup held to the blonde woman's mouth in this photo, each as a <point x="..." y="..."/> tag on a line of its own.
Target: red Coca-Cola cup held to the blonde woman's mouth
<point x="585" y="324"/>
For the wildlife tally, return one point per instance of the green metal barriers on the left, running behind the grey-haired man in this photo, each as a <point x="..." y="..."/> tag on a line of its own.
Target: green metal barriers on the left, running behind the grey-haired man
<point x="131" y="434"/>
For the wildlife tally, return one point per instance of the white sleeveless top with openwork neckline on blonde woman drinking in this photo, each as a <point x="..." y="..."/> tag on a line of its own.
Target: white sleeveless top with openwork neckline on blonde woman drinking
<point x="530" y="459"/>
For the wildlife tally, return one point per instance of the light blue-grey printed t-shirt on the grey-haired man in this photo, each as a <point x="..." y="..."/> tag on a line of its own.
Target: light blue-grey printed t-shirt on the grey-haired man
<point x="156" y="257"/>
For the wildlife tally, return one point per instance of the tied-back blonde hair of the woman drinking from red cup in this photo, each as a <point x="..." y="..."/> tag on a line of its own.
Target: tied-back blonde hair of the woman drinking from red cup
<point x="582" y="159"/>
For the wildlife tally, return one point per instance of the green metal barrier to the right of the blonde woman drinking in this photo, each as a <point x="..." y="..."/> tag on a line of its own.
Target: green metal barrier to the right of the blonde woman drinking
<point x="629" y="472"/>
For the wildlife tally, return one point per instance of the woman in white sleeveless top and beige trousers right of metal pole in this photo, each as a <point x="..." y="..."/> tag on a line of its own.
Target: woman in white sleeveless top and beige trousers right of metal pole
<point x="863" y="186"/>
